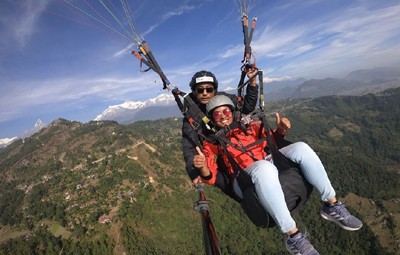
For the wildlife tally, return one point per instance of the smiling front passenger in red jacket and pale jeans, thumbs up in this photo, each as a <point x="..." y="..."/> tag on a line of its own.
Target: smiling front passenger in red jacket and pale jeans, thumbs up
<point x="255" y="161"/>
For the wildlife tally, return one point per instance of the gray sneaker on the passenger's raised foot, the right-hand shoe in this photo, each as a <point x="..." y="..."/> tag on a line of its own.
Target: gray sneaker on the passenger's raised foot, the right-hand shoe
<point x="339" y="214"/>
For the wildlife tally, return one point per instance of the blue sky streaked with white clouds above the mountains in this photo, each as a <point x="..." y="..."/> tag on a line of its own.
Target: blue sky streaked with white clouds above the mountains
<point x="54" y="64"/>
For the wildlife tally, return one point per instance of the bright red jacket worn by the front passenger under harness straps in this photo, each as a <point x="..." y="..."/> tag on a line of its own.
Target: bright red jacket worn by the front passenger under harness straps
<point x="238" y="137"/>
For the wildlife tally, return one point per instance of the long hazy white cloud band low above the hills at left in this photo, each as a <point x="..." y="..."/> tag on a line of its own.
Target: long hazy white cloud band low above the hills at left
<point x="19" y="98"/>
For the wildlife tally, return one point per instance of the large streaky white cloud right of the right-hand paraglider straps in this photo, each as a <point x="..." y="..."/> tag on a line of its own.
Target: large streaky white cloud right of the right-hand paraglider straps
<point x="343" y="42"/>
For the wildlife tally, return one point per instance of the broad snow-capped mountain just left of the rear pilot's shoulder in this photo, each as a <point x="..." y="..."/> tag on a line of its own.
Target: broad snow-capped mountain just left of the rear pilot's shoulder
<point x="130" y="111"/>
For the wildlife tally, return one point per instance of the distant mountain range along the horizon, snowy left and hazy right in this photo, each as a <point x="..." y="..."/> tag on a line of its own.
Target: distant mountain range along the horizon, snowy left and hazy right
<point x="358" y="82"/>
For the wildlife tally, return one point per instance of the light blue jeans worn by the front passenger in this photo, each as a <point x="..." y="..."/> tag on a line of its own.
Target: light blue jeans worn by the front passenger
<point x="265" y="178"/>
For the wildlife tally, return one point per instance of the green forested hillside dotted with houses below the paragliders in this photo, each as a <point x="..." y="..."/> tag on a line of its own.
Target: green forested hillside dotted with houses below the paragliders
<point x="105" y="188"/>
